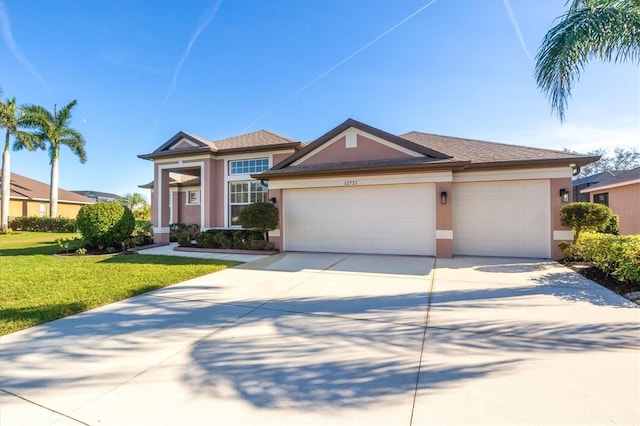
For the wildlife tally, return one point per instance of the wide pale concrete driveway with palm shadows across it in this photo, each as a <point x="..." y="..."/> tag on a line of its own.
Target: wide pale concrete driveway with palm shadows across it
<point x="317" y="339"/>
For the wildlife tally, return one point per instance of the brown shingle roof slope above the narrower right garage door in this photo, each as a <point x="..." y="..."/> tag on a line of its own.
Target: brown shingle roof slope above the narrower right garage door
<point x="478" y="151"/>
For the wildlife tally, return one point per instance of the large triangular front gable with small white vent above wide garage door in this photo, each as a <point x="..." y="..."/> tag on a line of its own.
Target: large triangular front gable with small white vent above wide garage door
<point x="356" y="142"/>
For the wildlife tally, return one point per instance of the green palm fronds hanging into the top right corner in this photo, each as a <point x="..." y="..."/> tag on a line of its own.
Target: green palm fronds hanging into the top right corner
<point x="601" y="29"/>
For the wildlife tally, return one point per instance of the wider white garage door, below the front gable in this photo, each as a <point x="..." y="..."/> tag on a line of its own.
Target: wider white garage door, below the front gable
<point x="386" y="219"/>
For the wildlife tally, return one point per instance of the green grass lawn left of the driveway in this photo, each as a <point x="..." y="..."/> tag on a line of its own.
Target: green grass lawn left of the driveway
<point x="36" y="287"/>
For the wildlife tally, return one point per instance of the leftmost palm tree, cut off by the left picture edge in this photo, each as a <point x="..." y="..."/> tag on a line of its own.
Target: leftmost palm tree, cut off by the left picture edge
<point x="11" y="119"/>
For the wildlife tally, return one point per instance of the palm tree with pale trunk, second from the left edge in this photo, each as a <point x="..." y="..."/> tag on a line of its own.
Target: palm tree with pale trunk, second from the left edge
<point x="54" y="130"/>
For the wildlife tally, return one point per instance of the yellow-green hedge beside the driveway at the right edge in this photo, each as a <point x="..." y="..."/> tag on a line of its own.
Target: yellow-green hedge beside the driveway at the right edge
<point x="612" y="254"/>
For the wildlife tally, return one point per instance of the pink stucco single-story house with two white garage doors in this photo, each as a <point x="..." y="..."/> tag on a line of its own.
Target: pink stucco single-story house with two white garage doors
<point x="358" y="189"/>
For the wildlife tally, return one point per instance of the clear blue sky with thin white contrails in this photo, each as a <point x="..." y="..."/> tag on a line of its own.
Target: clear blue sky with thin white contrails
<point x="143" y="70"/>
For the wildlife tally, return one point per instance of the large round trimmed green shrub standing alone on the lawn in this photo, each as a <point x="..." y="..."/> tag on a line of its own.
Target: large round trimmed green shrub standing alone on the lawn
<point x="105" y="224"/>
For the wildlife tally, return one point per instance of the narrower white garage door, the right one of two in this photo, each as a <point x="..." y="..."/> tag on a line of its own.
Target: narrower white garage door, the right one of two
<point x="501" y="218"/>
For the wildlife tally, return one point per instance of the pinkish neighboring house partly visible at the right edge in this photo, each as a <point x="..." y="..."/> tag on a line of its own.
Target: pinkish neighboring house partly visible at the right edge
<point x="620" y="190"/>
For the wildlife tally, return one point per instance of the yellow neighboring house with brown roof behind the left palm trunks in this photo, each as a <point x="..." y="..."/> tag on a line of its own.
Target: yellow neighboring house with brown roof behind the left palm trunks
<point x="29" y="197"/>
